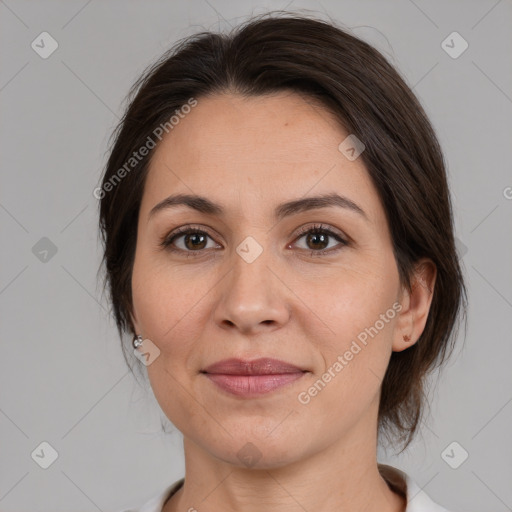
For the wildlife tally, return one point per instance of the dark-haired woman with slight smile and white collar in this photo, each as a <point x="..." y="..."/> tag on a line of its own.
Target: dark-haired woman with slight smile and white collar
<point x="279" y="242"/>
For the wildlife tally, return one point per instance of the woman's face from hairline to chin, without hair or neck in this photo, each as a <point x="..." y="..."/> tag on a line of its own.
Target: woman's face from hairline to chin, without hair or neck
<point x="250" y="282"/>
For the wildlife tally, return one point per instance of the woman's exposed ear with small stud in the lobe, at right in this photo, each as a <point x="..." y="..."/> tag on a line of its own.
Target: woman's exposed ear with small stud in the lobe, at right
<point x="415" y="305"/>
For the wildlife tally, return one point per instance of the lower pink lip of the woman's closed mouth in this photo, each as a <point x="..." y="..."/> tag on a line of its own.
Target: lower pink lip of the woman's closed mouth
<point x="252" y="385"/>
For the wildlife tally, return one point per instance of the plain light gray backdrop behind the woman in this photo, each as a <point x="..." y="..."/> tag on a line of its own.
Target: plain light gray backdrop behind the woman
<point x="62" y="376"/>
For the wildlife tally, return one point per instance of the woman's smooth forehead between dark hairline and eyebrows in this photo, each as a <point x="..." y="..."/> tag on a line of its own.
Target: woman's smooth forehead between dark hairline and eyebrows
<point x="256" y="150"/>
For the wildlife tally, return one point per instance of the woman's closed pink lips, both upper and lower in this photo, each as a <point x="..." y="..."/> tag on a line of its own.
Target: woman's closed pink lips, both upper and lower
<point x="248" y="379"/>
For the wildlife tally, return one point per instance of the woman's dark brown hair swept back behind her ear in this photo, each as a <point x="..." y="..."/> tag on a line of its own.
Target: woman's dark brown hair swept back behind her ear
<point x="319" y="60"/>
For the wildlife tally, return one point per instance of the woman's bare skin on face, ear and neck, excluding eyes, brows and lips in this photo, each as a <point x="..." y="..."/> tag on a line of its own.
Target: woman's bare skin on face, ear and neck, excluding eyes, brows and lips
<point x="251" y="154"/>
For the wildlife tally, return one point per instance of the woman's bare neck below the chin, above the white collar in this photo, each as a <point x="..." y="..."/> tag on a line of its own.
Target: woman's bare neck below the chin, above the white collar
<point x="343" y="476"/>
